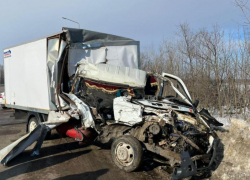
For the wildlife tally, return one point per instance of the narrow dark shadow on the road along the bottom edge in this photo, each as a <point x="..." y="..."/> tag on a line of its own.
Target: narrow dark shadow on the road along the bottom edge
<point x="93" y="175"/>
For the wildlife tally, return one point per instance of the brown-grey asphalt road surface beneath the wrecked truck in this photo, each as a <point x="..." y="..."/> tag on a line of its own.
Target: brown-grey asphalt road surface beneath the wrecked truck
<point x="62" y="158"/>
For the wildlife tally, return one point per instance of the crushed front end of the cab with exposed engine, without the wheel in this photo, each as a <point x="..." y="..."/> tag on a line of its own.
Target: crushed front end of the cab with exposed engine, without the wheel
<point x="168" y="127"/>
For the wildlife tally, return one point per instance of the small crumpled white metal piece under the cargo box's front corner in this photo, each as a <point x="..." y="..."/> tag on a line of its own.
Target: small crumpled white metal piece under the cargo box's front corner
<point x="57" y="117"/>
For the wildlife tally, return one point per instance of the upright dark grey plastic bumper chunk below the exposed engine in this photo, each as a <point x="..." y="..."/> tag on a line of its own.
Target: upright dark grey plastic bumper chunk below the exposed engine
<point x="187" y="167"/>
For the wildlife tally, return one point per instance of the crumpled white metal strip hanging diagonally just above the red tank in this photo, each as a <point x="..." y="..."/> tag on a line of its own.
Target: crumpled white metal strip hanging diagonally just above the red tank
<point x="87" y="118"/>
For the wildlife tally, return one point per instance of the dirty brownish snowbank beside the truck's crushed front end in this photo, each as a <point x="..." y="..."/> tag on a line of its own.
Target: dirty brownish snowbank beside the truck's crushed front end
<point x="236" y="144"/>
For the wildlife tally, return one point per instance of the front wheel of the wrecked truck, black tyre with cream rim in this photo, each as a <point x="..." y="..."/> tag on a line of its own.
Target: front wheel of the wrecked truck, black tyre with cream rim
<point x="127" y="153"/>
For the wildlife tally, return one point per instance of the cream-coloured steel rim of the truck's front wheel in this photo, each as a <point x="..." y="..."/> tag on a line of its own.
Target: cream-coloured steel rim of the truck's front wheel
<point x="124" y="153"/>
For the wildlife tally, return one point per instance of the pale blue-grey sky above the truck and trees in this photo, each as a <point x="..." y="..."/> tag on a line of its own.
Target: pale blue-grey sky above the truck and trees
<point x="148" y="21"/>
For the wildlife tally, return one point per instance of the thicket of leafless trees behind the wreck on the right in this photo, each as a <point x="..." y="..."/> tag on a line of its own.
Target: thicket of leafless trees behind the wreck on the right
<point x="214" y="67"/>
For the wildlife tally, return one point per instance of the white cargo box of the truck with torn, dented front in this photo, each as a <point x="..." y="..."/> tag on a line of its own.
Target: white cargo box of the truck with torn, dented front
<point x="34" y="74"/>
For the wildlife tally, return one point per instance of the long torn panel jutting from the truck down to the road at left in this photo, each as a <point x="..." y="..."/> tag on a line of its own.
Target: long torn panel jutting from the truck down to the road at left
<point x="14" y="149"/>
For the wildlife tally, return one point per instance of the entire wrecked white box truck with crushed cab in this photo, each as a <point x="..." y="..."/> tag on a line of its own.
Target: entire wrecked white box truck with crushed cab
<point x="87" y="85"/>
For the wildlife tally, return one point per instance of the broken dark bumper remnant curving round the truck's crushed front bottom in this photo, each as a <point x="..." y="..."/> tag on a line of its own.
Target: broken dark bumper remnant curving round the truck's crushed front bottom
<point x="188" y="167"/>
